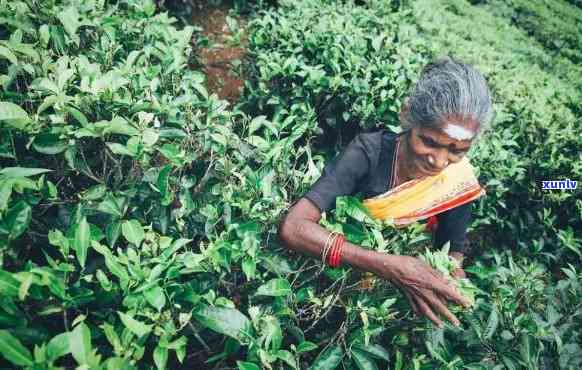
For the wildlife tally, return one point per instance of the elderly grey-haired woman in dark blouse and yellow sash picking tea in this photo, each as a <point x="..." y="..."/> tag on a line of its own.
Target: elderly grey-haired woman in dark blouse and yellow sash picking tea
<point x="419" y="173"/>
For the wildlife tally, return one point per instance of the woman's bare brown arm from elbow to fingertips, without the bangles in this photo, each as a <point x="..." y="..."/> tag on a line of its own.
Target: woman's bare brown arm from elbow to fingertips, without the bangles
<point x="426" y="290"/>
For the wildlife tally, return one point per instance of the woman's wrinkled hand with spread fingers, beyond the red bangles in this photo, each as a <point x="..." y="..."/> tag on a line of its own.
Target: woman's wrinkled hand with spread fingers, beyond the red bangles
<point x="426" y="289"/>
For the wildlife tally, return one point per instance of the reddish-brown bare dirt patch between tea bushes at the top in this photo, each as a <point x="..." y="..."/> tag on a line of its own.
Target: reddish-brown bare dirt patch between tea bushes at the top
<point x="221" y="59"/>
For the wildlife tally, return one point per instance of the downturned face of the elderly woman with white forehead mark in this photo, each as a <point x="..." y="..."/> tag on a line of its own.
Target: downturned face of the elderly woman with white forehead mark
<point x="433" y="149"/>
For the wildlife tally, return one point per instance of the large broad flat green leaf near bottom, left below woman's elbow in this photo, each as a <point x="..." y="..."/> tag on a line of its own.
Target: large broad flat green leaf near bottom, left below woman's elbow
<point x="227" y="321"/>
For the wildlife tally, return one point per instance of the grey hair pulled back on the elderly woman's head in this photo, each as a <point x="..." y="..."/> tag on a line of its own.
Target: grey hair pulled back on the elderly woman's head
<point x="448" y="87"/>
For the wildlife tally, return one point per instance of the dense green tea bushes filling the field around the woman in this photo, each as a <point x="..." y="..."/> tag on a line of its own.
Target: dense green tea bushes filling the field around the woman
<point x="139" y="212"/>
